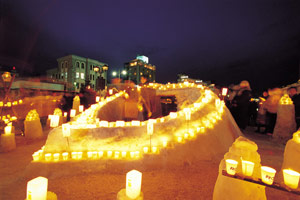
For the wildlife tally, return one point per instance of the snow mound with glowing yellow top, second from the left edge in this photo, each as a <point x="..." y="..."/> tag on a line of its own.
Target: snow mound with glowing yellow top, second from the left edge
<point x="32" y="125"/>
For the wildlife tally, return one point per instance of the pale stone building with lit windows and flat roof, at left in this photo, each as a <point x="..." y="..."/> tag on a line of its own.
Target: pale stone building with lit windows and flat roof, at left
<point x="78" y="72"/>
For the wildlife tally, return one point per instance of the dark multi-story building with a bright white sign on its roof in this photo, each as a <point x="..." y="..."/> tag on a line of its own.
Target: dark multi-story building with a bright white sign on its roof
<point x="140" y="67"/>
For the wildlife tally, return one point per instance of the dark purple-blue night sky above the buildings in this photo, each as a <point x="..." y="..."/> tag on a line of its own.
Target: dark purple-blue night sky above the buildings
<point x="225" y="41"/>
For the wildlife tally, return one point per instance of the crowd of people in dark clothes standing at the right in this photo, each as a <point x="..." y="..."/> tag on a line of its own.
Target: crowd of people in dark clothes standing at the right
<point x="260" y="112"/>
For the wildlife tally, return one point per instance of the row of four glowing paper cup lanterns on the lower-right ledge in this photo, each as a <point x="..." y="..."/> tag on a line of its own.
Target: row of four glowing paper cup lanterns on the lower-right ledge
<point x="291" y="177"/>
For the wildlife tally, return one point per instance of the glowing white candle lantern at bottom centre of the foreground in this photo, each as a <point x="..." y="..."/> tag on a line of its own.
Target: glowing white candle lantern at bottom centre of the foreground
<point x="133" y="184"/>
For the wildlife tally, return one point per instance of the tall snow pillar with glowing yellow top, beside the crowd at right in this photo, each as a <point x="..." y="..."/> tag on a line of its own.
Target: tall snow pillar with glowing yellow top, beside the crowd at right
<point x="285" y="123"/>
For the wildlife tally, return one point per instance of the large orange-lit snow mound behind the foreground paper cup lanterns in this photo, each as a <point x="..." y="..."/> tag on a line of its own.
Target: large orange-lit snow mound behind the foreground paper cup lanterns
<point x="231" y="188"/>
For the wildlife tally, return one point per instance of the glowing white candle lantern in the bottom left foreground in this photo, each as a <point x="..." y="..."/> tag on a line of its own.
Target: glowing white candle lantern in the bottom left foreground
<point x="37" y="189"/>
